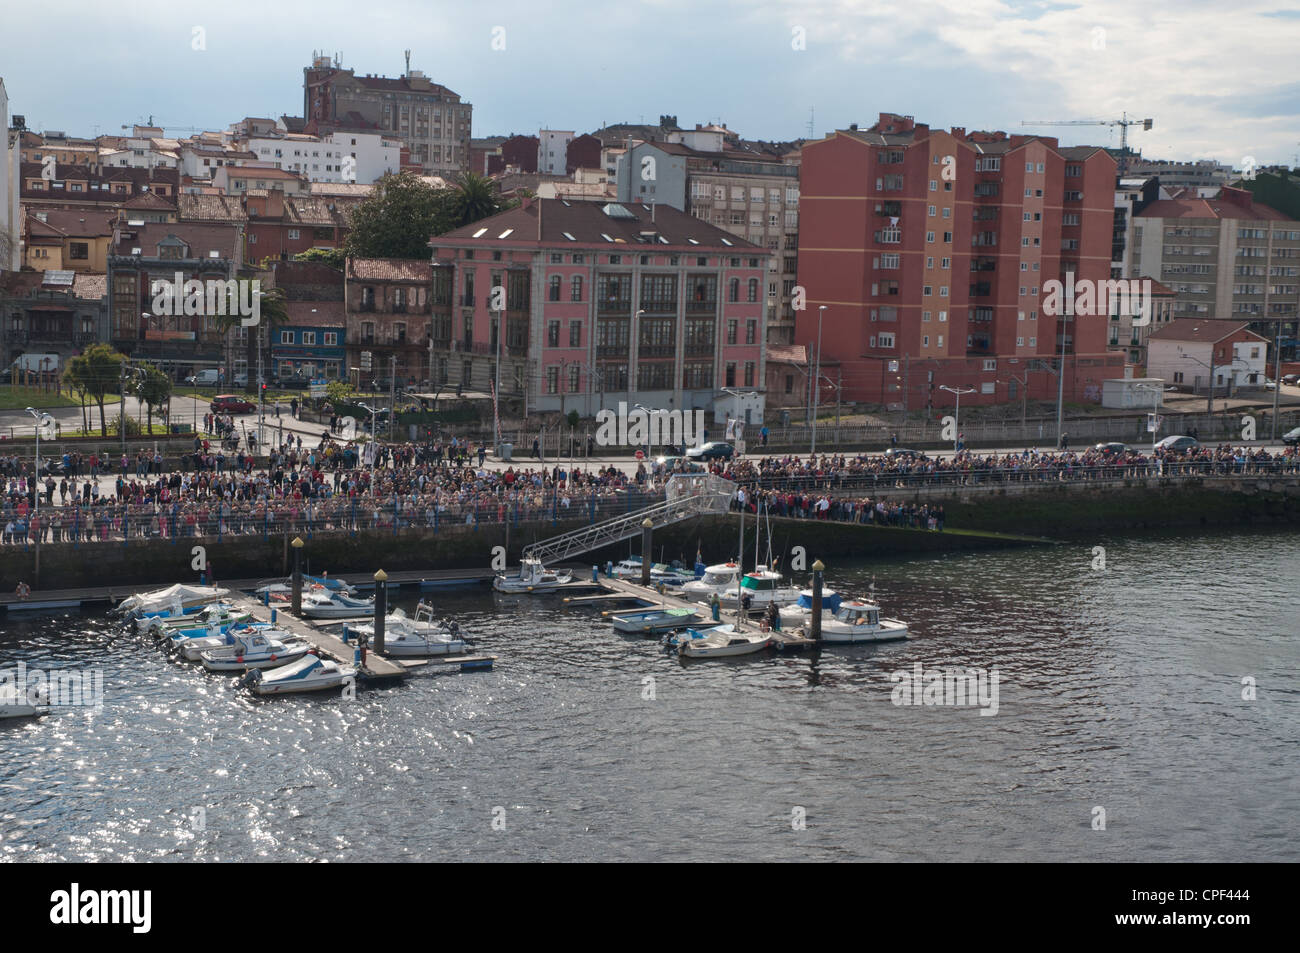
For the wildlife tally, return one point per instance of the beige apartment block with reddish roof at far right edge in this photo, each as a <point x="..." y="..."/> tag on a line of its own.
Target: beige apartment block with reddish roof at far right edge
<point x="1225" y="258"/>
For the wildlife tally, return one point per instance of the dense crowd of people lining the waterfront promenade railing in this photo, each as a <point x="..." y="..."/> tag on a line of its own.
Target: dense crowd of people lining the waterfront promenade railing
<point x="333" y="484"/>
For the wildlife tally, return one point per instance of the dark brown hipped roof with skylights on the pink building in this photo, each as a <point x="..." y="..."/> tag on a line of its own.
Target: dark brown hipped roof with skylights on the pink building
<point x="553" y="222"/>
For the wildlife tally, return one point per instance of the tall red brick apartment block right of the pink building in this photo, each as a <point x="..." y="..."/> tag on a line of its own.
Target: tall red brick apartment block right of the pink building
<point x="929" y="252"/>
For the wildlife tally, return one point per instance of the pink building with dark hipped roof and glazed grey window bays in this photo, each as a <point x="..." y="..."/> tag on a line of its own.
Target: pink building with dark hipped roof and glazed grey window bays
<point x="601" y="304"/>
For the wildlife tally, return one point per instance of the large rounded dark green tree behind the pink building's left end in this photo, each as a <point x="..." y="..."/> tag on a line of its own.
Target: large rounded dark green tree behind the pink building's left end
<point x="400" y="218"/>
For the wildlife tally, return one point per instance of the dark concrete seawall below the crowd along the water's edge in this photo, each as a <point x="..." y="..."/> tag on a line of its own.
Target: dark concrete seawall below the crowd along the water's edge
<point x="978" y="518"/>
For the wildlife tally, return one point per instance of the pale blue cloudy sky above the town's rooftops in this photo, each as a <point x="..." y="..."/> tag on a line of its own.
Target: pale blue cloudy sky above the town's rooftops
<point x="1221" y="81"/>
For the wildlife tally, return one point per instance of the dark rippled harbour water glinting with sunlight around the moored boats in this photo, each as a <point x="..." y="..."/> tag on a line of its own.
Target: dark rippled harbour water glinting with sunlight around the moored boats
<point x="1120" y="690"/>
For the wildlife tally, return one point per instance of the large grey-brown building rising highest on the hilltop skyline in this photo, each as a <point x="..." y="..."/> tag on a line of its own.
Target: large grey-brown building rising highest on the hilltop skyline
<point x="431" y="120"/>
